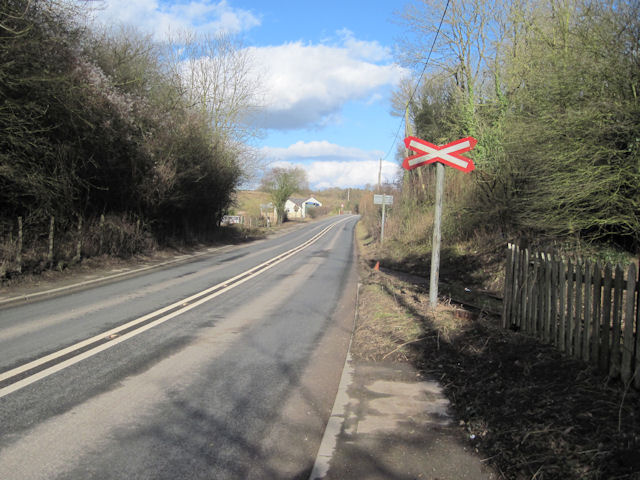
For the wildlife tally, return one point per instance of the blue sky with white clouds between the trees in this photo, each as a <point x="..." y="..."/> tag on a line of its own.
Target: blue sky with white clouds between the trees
<point x="327" y="73"/>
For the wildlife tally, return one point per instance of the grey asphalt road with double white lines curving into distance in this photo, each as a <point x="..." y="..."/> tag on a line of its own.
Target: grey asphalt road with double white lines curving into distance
<point x="225" y="367"/>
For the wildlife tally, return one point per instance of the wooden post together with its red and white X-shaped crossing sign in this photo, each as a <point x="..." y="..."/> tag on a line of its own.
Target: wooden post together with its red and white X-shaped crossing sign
<point x="448" y="154"/>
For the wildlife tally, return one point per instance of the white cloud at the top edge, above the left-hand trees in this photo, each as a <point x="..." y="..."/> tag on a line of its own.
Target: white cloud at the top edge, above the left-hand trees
<point x="204" y="16"/>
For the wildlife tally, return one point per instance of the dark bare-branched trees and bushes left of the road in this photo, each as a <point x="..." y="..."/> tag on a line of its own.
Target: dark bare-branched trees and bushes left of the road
<point x="99" y="123"/>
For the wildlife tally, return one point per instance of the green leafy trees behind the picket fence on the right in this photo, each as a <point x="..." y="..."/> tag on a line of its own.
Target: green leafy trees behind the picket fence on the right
<point x="551" y="94"/>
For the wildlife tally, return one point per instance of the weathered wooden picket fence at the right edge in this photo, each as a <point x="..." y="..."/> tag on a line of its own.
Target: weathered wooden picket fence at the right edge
<point x="587" y="310"/>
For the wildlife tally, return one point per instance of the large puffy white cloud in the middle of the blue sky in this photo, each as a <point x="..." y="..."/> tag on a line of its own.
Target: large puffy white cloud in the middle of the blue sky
<point x="307" y="85"/>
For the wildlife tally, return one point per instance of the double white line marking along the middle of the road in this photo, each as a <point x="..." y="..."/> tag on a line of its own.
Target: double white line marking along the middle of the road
<point x="31" y="372"/>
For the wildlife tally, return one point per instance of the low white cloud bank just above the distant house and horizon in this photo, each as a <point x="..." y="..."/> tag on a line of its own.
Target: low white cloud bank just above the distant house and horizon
<point x="330" y="165"/>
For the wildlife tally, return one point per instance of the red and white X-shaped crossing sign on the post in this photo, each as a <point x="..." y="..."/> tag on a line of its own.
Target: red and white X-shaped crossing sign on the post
<point x="448" y="154"/>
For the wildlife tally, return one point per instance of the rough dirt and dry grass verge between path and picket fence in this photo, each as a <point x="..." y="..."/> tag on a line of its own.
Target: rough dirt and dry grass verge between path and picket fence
<point x="531" y="412"/>
